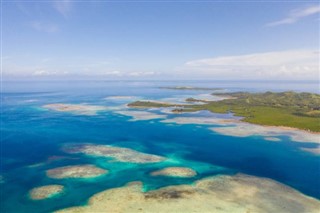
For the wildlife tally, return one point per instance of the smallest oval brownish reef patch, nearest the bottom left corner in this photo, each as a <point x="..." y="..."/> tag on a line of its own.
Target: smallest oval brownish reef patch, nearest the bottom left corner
<point x="44" y="192"/>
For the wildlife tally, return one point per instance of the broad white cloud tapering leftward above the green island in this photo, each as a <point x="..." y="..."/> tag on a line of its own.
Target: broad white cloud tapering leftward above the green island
<point x="294" y="64"/>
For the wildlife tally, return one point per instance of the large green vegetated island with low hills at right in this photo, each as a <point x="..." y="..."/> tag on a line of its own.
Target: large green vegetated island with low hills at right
<point x="288" y="109"/>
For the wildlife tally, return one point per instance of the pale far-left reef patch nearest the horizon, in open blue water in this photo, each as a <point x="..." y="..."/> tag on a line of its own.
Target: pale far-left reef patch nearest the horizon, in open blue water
<point x="80" y="109"/>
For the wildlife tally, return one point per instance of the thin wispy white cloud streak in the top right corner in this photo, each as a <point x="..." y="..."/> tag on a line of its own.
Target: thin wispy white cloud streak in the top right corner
<point x="296" y="15"/>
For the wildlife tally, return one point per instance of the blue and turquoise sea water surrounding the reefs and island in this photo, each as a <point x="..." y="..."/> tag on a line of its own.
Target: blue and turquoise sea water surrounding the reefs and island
<point x="30" y="135"/>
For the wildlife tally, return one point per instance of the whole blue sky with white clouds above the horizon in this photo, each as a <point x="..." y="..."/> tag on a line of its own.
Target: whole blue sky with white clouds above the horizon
<point x="160" y="40"/>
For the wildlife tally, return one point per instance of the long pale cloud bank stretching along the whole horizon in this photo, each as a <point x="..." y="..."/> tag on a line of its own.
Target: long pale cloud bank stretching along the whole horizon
<point x="277" y="65"/>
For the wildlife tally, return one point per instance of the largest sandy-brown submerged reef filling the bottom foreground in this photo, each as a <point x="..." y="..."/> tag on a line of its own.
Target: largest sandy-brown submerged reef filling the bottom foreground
<point x="239" y="193"/>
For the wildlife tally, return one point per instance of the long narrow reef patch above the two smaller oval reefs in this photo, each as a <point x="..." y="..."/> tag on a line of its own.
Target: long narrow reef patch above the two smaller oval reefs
<point x="118" y="153"/>
